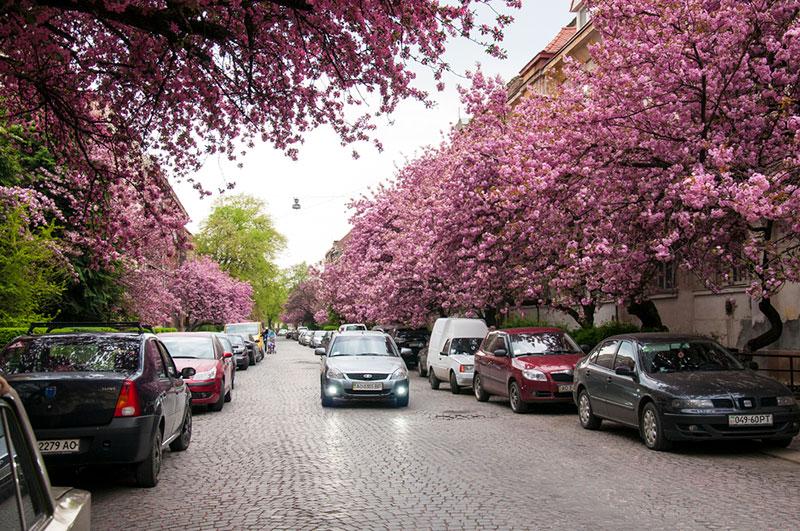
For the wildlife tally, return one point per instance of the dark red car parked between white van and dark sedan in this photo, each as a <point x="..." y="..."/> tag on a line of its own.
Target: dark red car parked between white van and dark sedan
<point x="527" y="365"/>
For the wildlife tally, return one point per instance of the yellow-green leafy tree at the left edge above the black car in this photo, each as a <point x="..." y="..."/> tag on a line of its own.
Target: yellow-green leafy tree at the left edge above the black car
<point x="32" y="273"/>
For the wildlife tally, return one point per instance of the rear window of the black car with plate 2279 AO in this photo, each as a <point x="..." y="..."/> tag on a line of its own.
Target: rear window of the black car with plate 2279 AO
<point x="71" y="354"/>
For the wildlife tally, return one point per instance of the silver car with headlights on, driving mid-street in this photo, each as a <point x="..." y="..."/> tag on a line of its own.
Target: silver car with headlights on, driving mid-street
<point x="363" y="366"/>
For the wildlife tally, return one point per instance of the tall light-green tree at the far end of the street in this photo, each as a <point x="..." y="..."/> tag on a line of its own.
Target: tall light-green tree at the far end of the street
<point x="239" y="235"/>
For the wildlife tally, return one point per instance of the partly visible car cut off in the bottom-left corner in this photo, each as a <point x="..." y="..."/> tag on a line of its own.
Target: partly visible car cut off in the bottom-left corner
<point x="26" y="485"/>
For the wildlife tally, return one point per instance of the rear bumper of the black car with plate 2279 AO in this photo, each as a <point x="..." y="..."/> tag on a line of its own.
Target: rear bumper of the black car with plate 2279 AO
<point x="122" y="441"/>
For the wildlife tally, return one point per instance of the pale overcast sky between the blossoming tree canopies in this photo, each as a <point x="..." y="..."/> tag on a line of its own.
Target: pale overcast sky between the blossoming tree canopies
<point x="326" y="176"/>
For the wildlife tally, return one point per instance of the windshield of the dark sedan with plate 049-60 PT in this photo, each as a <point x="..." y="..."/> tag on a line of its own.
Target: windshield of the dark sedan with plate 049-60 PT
<point x="687" y="356"/>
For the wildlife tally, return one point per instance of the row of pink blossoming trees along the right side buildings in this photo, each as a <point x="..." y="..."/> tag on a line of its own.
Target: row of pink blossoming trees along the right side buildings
<point x="680" y="144"/>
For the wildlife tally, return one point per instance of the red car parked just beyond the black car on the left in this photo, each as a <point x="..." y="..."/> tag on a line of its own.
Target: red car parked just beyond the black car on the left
<point x="212" y="385"/>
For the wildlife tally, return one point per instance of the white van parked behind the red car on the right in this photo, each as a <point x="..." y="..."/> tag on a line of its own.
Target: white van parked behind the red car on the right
<point x="451" y="351"/>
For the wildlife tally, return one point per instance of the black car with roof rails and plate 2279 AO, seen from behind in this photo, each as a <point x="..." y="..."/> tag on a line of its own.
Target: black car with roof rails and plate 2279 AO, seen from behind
<point x="101" y="398"/>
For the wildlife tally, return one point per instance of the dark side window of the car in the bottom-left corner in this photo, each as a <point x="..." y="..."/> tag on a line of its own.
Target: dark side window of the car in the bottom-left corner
<point x="18" y="476"/>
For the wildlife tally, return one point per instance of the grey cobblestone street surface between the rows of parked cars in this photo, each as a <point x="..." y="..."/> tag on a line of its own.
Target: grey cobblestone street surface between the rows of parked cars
<point x="275" y="459"/>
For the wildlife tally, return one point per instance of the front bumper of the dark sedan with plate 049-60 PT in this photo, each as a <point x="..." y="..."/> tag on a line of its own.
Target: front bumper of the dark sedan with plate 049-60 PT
<point x="686" y="427"/>
